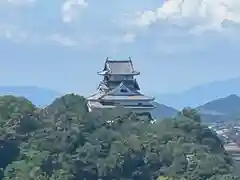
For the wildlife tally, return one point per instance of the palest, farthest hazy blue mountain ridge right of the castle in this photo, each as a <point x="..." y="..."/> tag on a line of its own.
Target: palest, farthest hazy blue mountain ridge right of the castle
<point x="201" y="94"/>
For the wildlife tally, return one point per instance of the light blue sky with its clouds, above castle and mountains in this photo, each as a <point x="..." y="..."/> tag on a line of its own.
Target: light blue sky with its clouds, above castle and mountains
<point x="61" y="44"/>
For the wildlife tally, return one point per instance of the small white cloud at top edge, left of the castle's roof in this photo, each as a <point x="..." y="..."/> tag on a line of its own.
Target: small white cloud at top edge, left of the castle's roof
<point x="71" y="9"/>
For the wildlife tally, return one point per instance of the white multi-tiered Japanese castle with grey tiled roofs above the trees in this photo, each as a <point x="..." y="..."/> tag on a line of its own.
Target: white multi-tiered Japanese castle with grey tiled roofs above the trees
<point x="119" y="88"/>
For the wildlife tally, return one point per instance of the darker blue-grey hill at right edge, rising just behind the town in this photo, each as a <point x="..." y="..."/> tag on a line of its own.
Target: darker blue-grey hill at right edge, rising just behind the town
<point x="227" y="108"/>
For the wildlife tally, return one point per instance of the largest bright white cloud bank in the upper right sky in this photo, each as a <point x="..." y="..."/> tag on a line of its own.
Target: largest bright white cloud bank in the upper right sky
<point x="210" y="14"/>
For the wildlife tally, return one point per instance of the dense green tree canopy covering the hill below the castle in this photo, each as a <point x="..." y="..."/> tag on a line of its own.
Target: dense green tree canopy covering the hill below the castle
<point x="65" y="142"/>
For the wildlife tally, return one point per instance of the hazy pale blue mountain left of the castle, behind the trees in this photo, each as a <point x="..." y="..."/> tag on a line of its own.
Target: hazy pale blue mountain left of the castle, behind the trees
<point x="39" y="96"/>
